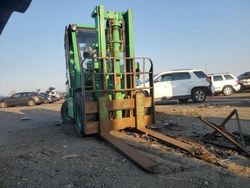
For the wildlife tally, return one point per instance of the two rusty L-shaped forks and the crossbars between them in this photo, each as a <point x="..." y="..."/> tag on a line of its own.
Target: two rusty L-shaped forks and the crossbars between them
<point x="107" y="125"/>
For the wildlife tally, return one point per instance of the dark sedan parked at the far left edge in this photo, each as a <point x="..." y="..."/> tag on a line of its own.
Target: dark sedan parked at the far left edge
<point x="22" y="98"/>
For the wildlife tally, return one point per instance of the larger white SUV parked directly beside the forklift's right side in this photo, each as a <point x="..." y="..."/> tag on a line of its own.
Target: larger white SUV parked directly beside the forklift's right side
<point x="181" y="84"/>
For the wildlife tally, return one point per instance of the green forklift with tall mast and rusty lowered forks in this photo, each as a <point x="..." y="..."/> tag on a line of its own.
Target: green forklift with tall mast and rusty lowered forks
<point x="102" y="76"/>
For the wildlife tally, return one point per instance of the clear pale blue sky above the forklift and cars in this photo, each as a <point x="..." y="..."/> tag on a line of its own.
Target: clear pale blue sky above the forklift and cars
<point x="210" y="35"/>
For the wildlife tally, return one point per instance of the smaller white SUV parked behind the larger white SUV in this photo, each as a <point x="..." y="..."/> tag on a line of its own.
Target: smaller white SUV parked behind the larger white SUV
<point x="225" y="83"/>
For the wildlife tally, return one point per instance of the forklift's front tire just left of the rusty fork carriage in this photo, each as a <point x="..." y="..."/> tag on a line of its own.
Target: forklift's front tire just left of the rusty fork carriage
<point x="79" y="126"/>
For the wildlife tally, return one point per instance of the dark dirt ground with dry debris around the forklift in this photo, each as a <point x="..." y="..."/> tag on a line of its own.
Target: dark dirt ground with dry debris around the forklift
<point x="37" y="150"/>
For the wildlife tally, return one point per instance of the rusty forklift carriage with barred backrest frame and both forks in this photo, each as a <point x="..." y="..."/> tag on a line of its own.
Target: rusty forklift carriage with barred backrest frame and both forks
<point x="138" y="111"/>
